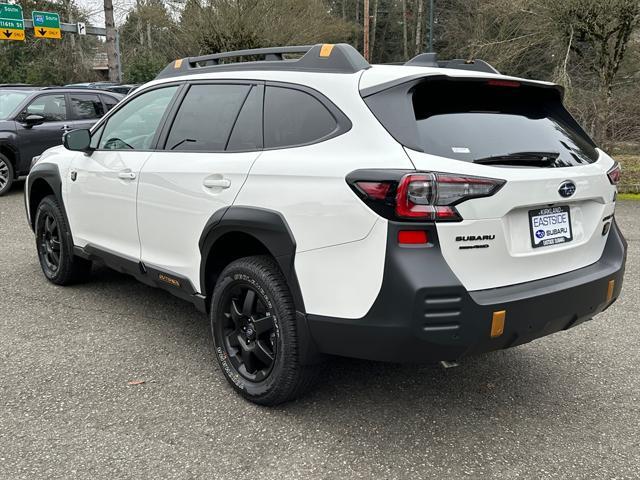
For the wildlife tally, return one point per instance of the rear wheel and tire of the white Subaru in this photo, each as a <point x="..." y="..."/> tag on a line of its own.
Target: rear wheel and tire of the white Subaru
<point x="255" y="334"/>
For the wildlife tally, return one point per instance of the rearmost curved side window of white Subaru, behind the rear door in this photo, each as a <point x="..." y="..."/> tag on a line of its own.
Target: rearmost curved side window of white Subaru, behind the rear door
<point x="293" y="117"/>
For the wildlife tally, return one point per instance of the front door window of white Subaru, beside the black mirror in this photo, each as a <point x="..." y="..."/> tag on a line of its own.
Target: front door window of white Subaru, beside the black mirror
<point x="134" y="125"/>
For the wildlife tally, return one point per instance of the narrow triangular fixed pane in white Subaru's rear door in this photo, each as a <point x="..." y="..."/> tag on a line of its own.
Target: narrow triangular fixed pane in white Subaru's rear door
<point x="247" y="132"/>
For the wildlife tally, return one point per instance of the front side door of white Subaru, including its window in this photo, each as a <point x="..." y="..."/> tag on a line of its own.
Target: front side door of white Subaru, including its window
<point x="103" y="185"/>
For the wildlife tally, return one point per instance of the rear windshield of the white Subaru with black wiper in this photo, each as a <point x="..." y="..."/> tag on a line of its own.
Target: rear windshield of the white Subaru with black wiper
<point x="483" y="121"/>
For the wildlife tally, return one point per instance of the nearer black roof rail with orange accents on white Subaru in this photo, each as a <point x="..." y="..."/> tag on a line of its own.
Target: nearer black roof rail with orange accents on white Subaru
<point x="329" y="58"/>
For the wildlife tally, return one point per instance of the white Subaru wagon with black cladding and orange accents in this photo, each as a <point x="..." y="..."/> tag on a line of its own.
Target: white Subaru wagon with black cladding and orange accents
<point x="321" y="205"/>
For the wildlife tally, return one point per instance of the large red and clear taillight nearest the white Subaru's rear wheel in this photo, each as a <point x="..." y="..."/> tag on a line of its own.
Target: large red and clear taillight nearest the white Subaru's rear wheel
<point x="423" y="196"/>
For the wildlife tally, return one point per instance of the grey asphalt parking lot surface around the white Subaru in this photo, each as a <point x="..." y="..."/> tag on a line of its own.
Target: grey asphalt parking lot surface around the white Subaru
<point x="563" y="407"/>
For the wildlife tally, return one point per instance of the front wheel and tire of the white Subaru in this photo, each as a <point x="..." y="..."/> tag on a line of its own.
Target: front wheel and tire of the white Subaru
<point x="52" y="237"/>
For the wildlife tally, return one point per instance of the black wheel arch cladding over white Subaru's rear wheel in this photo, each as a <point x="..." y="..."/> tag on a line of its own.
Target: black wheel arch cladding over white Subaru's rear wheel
<point x="237" y="232"/>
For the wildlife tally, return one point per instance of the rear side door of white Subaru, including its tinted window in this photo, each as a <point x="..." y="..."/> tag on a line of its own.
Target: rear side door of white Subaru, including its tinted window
<point x="207" y="152"/>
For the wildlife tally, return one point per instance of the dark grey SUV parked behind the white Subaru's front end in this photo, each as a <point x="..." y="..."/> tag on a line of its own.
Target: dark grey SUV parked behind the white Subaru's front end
<point x="33" y="119"/>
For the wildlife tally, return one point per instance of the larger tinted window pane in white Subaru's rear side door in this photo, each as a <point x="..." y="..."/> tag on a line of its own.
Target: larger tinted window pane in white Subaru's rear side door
<point x="206" y="117"/>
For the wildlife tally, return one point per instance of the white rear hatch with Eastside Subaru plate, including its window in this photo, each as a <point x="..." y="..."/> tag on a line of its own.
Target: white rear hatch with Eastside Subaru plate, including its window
<point x="553" y="211"/>
